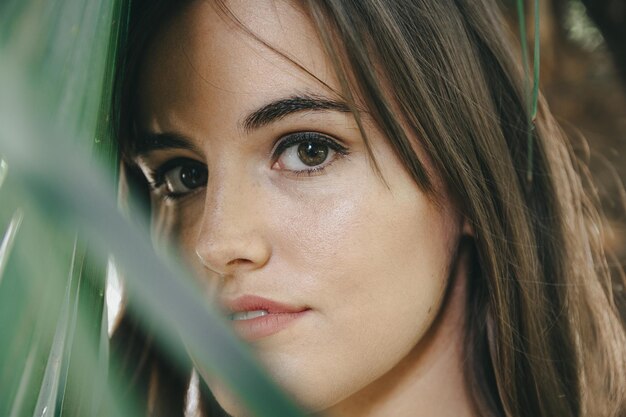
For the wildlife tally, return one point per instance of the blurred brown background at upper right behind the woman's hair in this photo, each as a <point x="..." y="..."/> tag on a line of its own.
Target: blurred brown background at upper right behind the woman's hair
<point x="583" y="76"/>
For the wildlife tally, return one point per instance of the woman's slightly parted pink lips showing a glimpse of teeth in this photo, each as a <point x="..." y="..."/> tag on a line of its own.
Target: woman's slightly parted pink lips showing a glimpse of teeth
<point x="256" y="317"/>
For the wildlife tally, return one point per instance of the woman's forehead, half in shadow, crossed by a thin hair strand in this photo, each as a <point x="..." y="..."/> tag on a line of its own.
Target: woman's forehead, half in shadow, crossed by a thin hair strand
<point x="229" y="63"/>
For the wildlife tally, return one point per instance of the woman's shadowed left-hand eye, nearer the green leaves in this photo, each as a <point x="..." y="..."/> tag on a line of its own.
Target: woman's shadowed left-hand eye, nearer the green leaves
<point x="180" y="176"/>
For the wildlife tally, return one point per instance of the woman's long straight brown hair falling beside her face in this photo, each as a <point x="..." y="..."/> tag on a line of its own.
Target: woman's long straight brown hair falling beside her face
<point x="544" y="336"/>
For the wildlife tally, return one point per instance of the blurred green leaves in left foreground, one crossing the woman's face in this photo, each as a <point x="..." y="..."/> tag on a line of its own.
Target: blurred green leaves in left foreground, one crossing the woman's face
<point x="59" y="223"/>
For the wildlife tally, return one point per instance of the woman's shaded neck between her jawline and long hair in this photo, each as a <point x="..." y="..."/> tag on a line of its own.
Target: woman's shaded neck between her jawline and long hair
<point x="429" y="381"/>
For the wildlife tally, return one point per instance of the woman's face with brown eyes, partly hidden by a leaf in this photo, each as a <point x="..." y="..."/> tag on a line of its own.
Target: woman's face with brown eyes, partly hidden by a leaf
<point x="261" y="175"/>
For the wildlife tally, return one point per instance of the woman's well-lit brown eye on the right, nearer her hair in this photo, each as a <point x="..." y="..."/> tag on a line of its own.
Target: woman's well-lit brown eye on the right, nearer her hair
<point x="306" y="152"/>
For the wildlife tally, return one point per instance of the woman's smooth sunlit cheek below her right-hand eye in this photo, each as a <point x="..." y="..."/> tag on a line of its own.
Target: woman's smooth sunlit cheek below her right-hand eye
<point x="365" y="241"/>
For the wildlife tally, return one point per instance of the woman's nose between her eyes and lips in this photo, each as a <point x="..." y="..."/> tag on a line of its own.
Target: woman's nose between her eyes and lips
<point x="231" y="237"/>
